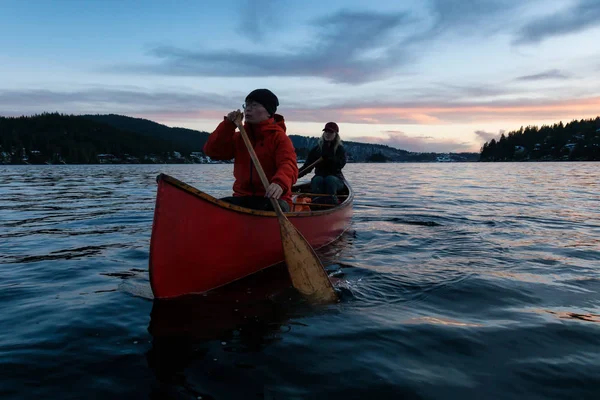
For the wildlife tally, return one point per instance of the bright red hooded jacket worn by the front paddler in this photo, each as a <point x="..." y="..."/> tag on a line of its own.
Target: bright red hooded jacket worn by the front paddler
<point x="273" y="148"/>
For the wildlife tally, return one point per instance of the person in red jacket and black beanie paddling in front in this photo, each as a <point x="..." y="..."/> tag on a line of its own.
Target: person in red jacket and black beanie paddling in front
<point x="267" y="133"/>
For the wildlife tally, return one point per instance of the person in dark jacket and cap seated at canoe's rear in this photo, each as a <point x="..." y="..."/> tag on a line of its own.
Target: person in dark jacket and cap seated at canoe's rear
<point x="328" y="177"/>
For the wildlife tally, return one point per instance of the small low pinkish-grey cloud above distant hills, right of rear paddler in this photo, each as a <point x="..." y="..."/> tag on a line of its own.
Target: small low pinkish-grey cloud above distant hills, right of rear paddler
<point x="401" y="140"/>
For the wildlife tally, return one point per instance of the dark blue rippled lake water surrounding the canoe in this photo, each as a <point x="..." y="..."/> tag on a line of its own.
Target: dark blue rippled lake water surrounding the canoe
<point x="471" y="281"/>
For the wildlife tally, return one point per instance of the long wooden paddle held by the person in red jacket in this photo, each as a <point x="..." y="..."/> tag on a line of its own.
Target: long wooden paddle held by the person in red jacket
<point x="306" y="271"/>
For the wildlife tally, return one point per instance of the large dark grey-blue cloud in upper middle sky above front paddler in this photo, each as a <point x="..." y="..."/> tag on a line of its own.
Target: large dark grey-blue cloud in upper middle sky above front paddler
<point x="351" y="47"/>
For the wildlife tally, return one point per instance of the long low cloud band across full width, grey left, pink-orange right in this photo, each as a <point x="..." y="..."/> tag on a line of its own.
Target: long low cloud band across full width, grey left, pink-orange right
<point x="171" y="105"/>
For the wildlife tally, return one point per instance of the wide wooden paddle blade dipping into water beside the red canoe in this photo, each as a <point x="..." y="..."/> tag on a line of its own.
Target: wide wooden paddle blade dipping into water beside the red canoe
<point x="305" y="269"/>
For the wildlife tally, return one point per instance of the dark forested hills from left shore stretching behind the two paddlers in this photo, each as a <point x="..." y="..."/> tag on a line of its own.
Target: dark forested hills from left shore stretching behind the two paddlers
<point x="83" y="139"/>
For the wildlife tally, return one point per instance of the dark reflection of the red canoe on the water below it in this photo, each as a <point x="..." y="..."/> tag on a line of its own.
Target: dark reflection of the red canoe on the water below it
<point x="245" y="316"/>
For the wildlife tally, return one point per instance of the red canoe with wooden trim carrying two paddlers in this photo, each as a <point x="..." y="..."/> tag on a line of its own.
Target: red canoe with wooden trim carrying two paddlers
<point x="200" y="243"/>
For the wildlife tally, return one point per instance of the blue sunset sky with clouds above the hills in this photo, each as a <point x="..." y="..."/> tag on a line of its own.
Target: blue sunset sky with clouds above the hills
<point x="422" y="75"/>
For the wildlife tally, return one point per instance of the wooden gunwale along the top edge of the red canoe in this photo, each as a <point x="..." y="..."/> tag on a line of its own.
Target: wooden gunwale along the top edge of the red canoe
<point x="223" y="204"/>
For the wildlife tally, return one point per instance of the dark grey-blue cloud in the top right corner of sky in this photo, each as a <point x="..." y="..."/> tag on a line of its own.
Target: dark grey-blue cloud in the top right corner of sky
<point x="583" y="15"/>
